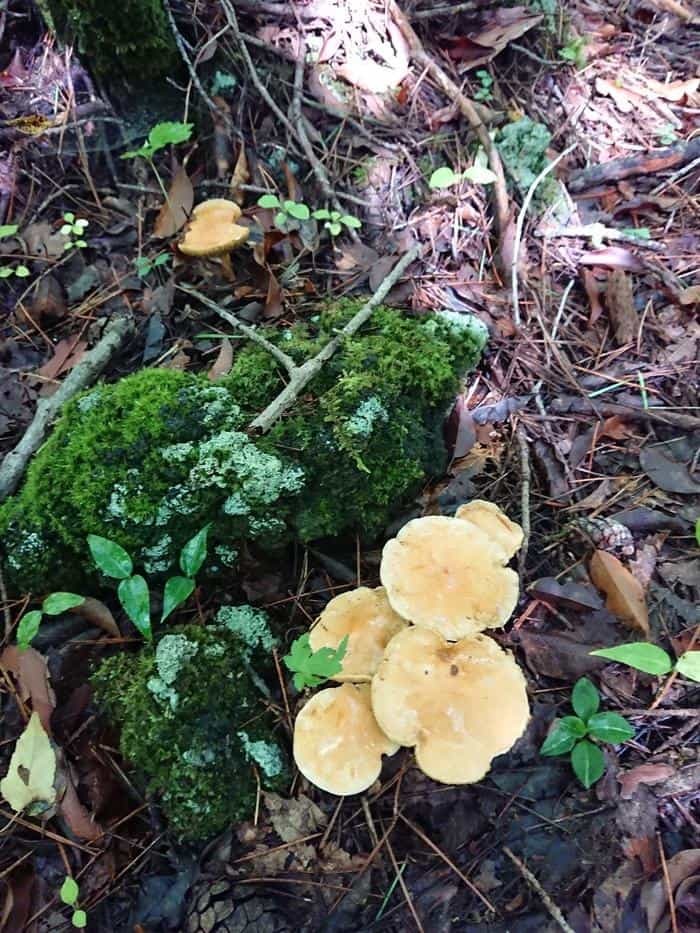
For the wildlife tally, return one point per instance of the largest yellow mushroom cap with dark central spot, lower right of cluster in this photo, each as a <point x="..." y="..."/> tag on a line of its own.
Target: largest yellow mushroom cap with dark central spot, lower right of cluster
<point x="460" y="703"/>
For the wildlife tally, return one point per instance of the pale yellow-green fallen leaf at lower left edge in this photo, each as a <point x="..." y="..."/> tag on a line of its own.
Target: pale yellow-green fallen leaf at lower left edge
<point x="30" y="777"/>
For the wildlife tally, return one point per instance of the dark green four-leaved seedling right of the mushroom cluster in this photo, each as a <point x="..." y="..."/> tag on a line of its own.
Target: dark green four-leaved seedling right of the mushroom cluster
<point x="577" y="735"/>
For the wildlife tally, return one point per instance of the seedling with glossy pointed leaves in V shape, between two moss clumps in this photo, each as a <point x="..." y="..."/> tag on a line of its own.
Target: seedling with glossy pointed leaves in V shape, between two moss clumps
<point x="133" y="591"/>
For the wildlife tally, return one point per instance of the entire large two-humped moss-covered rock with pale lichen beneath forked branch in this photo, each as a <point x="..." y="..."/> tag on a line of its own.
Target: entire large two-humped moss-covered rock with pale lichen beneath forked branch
<point x="150" y="460"/>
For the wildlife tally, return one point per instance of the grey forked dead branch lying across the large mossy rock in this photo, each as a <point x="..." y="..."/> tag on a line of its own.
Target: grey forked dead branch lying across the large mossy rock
<point x="301" y="376"/>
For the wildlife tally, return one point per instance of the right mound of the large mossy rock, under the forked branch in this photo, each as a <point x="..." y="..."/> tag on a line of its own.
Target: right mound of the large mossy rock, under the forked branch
<point x="369" y="428"/>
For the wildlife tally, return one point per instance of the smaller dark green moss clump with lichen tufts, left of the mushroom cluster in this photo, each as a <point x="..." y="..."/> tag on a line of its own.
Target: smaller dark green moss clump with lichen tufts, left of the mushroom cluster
<point x="193" y="725"/>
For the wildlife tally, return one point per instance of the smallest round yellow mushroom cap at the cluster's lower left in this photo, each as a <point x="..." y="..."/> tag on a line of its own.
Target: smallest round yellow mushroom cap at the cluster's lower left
<point x="338" y="745"/>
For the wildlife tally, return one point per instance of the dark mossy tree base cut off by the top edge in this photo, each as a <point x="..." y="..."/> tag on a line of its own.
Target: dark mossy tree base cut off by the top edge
<point x="130" y="38"/>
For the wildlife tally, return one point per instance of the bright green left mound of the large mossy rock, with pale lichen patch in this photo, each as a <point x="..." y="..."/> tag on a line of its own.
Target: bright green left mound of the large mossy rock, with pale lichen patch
<point x="147" y="461"/>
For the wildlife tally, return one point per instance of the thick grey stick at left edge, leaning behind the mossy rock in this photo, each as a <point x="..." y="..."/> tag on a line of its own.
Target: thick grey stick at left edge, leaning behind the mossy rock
<point x="87" y="370"/>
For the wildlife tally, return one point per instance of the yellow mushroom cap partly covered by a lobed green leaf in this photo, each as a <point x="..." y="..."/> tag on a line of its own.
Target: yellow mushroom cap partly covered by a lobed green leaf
<point x="366" y="617"/>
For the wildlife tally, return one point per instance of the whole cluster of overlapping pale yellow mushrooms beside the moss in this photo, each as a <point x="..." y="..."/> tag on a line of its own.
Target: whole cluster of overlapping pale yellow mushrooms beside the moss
<point x="418" y="671"/>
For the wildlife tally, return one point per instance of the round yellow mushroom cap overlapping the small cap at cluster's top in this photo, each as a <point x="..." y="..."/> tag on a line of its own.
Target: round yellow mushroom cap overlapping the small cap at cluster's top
<point x="447" y="574"/>
